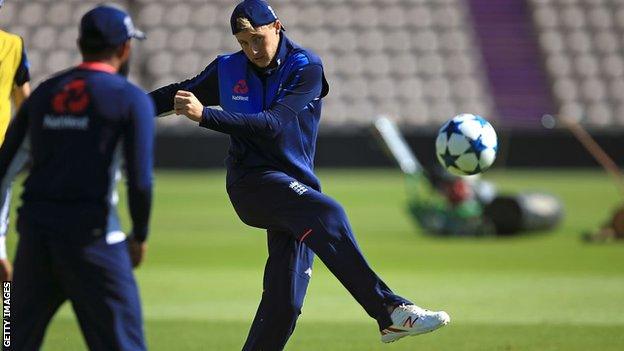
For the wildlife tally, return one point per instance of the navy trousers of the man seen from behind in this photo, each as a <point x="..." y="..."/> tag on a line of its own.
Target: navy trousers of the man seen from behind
<point x="51" y="267"/>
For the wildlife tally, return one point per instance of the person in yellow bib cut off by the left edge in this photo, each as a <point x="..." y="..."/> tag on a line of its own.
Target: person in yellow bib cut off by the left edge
<point x="15" y="86"/>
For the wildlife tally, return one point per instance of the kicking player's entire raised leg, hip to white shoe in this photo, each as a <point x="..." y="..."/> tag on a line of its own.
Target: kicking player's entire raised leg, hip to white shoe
<point x="321" y="223"/>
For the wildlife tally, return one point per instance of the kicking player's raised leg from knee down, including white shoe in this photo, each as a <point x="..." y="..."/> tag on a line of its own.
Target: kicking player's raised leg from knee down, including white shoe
<point x="323" y="225"/>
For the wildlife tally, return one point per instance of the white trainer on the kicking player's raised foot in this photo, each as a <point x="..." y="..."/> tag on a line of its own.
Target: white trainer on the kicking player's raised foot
<point x="412" y="320"/>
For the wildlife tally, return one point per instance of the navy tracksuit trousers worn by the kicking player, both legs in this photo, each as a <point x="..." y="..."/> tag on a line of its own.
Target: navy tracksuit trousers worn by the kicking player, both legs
<point x="301" y="222"/>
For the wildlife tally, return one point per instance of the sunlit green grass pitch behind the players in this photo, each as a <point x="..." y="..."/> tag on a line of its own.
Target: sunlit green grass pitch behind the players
<point x="201" y="282"/>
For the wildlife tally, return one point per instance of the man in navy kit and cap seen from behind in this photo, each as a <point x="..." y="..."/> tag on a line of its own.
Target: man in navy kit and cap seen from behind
<point x="76" y="121"/>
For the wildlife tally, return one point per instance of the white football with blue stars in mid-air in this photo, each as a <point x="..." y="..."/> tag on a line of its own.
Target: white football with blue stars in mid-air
<point x="466" y="144"/>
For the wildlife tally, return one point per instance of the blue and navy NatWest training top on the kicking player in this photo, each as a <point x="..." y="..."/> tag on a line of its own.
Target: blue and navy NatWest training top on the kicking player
<point x="280" y="134"/>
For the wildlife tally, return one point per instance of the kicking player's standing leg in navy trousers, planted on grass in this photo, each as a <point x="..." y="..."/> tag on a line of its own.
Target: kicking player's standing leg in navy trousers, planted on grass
<point x="286" y="277"/>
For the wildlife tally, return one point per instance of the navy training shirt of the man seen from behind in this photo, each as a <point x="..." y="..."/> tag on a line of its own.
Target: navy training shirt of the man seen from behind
<point x="79" y="122"/>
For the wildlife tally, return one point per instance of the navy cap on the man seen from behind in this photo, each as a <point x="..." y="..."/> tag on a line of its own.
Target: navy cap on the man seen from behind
<point x="110" y="25"/>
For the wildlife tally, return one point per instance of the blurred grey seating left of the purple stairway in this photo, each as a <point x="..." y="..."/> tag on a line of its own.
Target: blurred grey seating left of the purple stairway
<point x="415" y="60"/>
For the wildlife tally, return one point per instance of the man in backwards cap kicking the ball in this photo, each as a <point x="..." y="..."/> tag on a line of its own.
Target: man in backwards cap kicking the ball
<point x="271" y="95"/>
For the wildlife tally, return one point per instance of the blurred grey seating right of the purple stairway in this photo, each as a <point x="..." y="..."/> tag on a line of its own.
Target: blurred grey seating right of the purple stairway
<point x="583" y="50"/>
